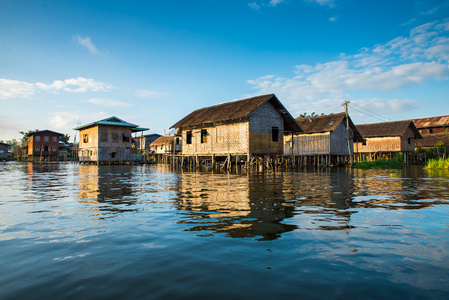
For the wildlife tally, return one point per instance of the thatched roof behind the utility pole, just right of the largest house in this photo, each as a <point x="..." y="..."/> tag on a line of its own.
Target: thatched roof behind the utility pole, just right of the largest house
<point x="328" y="123"/>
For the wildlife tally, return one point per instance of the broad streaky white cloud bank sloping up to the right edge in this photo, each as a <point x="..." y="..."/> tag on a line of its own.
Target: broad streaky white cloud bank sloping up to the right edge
<point x="400" y="63"/>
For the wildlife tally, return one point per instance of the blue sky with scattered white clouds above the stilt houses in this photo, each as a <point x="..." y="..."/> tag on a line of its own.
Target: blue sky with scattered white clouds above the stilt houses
<point x="64" y="63"/>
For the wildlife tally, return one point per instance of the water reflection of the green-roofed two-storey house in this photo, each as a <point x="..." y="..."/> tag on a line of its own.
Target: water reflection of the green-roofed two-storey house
<point x="106" y="190"/>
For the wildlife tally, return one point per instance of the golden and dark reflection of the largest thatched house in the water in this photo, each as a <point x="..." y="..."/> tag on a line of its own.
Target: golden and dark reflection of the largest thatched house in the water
<point x="233" y="204"/>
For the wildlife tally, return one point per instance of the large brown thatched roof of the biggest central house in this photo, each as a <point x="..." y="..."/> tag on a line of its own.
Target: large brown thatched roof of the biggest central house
<point x="236" y="110"/>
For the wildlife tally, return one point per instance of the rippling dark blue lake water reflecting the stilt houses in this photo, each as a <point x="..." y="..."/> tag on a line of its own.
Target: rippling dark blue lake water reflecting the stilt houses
<point x="70" y="231"/>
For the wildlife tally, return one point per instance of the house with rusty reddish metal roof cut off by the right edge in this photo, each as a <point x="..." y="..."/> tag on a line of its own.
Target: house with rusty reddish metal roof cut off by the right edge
<point x="433" y="130"/>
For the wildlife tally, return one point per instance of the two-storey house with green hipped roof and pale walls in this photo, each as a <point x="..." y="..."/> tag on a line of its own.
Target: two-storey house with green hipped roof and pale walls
<point x="106" y="141"/>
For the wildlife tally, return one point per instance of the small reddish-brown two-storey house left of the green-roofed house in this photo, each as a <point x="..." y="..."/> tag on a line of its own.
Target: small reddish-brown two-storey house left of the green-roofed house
<point x="43" y="145"/>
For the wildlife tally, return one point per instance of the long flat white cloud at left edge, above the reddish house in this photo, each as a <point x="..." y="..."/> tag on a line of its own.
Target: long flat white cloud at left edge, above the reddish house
<point x="14" y="88"/>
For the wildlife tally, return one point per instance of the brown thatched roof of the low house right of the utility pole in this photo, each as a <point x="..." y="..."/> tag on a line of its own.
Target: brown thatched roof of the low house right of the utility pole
<point x="388" y="129"/>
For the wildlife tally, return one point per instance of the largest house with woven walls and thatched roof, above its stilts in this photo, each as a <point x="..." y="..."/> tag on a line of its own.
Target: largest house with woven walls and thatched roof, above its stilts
<point x="253" y="126"/>
